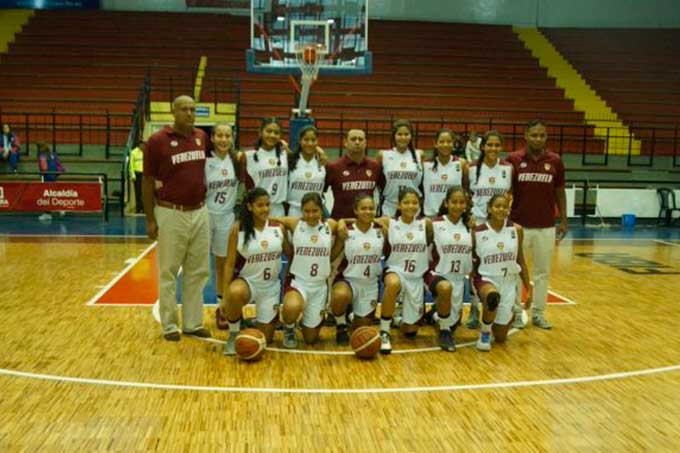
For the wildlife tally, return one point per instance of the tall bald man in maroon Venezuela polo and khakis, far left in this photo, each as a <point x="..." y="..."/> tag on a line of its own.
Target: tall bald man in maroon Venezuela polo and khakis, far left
<point x="174" y="203"/>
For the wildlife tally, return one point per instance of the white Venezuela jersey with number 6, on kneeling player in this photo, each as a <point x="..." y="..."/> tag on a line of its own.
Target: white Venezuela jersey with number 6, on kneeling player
<point x="260" y="258"/>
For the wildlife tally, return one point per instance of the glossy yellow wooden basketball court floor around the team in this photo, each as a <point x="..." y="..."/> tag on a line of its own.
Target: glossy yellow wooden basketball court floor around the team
<point x="79" y="377"/>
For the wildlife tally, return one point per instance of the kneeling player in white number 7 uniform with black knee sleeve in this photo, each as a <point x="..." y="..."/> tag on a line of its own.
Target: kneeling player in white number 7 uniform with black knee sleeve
<point x="497" y="246"/>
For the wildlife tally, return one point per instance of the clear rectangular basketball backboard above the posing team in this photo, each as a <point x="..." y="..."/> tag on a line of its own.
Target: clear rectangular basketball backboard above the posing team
<point x="279" y="27"/>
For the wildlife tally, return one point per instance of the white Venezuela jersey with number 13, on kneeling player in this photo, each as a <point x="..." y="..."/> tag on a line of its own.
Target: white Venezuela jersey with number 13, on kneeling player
<point x="452" y="253"/>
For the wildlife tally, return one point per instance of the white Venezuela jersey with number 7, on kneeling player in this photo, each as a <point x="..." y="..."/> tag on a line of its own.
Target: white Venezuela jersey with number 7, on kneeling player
<point x="497" y="250"/>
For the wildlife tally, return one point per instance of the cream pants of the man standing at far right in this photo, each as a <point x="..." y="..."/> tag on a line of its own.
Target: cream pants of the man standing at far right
<point x="538" y="248"/>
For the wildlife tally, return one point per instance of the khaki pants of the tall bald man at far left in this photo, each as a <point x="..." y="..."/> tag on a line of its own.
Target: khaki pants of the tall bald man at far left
<point x="183" y="241"/>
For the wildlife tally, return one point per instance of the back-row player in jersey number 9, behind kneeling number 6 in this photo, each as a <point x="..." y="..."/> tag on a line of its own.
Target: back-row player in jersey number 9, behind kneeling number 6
<point x="267" y="165"/>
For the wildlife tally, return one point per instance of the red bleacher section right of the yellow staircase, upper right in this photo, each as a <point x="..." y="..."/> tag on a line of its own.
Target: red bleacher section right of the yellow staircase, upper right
<point x="636" y="71"/>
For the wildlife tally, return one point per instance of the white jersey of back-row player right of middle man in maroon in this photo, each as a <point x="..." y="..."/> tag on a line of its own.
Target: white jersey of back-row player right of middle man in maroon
<point x="400" y="171"/>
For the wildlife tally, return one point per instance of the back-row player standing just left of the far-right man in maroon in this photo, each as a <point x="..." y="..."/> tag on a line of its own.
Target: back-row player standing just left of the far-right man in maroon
<point x="488" y="177"/>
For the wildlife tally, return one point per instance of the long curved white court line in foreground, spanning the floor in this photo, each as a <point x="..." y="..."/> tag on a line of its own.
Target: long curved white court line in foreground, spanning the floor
<point x="441" y="388"/>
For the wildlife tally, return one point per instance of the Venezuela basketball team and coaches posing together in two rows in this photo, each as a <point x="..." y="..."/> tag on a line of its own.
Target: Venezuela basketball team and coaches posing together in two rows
<point x="444" y="224"/>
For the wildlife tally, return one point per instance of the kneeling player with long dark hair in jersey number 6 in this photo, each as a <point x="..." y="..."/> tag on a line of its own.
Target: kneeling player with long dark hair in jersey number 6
<point x="251" y="272"/>
